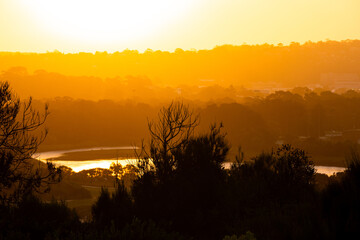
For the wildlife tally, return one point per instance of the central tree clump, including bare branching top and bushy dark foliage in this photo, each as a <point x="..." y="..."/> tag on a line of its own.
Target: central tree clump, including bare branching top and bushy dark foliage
<point x="183" y="185"/>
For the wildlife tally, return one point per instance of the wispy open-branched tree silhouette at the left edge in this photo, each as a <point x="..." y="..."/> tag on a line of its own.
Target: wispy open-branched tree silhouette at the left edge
<point x="19" y="139"/>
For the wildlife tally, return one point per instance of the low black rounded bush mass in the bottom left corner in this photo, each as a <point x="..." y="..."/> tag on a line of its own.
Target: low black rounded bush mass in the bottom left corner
<point x="33" y="219"/>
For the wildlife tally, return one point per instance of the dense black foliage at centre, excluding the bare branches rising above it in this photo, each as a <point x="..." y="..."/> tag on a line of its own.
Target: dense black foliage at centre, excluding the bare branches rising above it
<point x="193" y="189"/>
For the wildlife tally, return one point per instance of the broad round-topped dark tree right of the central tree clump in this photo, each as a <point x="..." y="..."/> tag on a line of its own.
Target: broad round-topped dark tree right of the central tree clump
<point x="274" y="187"/>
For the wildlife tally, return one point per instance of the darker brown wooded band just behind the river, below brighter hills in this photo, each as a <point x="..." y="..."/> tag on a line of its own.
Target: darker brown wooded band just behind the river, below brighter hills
<point x="325" y="124"/>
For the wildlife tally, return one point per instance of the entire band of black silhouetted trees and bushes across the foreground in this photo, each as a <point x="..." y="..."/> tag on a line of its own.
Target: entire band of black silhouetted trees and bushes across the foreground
<point x="182" y="190"/>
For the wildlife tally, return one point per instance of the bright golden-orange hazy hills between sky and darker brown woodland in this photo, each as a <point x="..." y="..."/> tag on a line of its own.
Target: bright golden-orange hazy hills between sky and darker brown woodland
<point x="329" y="64"/>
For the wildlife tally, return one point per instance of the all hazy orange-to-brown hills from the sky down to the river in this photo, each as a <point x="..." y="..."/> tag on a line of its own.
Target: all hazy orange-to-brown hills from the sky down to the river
<point x="265" y="95"/>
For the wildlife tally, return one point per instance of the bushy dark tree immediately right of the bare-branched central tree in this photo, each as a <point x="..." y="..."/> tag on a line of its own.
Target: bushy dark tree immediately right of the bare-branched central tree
<point x="197" y="188"/>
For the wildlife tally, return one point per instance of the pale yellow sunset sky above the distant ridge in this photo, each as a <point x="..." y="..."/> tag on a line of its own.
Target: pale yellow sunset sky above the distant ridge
<point x="115" y="25"/>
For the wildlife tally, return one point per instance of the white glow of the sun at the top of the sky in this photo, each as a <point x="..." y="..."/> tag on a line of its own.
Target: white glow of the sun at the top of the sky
<point x="99" y="22"/>
